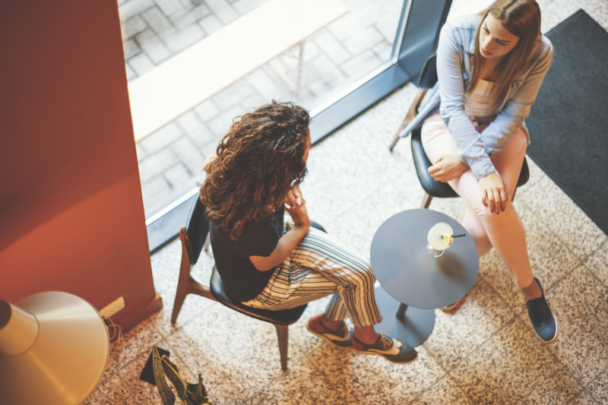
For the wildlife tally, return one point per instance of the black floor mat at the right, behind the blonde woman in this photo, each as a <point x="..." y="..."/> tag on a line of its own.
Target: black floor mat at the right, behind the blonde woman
<point x="569" y="121"/>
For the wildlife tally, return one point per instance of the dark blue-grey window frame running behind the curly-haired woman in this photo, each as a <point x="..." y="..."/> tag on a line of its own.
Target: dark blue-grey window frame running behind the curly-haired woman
<point x="416" y="40"/>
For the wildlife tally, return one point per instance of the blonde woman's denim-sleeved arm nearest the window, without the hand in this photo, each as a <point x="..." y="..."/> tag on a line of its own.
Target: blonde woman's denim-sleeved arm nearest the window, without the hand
<point x="471" y="149"/>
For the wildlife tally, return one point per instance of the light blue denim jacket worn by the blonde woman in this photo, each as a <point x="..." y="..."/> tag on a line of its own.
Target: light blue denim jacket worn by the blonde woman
<point x="455" y="52"/>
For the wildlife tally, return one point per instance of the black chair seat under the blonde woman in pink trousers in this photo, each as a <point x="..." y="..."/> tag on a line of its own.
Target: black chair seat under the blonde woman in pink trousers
<point x="436" y="188"/>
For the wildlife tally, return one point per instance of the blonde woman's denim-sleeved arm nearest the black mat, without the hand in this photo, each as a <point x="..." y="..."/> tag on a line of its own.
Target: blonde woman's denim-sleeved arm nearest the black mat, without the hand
<point x="511" y="118"/>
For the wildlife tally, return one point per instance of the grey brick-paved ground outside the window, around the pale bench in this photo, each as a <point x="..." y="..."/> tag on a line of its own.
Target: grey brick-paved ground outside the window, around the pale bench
<point x="170" y="160"/>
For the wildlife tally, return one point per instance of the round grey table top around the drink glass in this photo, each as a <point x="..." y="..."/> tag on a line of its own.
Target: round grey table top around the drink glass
<point x="409" y="274"/>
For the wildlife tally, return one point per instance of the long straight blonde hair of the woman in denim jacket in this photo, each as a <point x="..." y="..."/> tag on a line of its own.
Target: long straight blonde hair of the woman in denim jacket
<point x="522" y="19"/>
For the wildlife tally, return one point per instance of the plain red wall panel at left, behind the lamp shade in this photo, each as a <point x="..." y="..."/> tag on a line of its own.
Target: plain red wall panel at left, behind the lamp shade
<point x="71" y="209"/>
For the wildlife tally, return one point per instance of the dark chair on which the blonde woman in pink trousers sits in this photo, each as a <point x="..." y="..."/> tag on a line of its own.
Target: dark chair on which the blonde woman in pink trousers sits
<point x="432" y="188"/>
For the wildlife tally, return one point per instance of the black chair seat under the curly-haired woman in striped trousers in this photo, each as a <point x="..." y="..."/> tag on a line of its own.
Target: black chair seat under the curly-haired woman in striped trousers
<point x="284" y="317"/>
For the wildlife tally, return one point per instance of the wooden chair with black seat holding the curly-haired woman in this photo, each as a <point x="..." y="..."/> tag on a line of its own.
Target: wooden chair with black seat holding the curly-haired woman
<point x="193" y="236"/>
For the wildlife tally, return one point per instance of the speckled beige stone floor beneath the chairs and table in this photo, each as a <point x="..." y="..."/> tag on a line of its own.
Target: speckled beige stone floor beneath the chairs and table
<point x="484" y="354"/>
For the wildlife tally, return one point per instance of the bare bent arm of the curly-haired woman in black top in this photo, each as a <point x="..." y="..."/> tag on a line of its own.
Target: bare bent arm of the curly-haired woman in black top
<point x="289" y="241"/>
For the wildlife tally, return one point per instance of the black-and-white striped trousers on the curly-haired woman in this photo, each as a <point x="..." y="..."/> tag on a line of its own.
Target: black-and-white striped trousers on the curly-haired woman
<point x="316" y="268"/>
